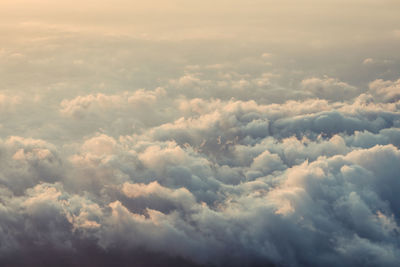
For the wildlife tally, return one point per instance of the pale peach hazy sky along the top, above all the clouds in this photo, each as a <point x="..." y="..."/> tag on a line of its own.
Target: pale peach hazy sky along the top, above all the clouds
<point x="299" y="21"/>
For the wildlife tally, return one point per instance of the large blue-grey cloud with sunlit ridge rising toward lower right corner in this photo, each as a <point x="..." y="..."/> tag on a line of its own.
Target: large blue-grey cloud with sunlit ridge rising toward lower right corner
<point x="324" y="206"/>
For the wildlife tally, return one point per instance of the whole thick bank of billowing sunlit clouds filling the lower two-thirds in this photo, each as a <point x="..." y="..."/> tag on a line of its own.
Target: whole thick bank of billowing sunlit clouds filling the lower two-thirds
<point x="208" y="182"/>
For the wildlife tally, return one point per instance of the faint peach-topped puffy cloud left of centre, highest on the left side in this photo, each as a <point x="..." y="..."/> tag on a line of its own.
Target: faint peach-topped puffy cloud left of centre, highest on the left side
<point x="124" y="112"/>
